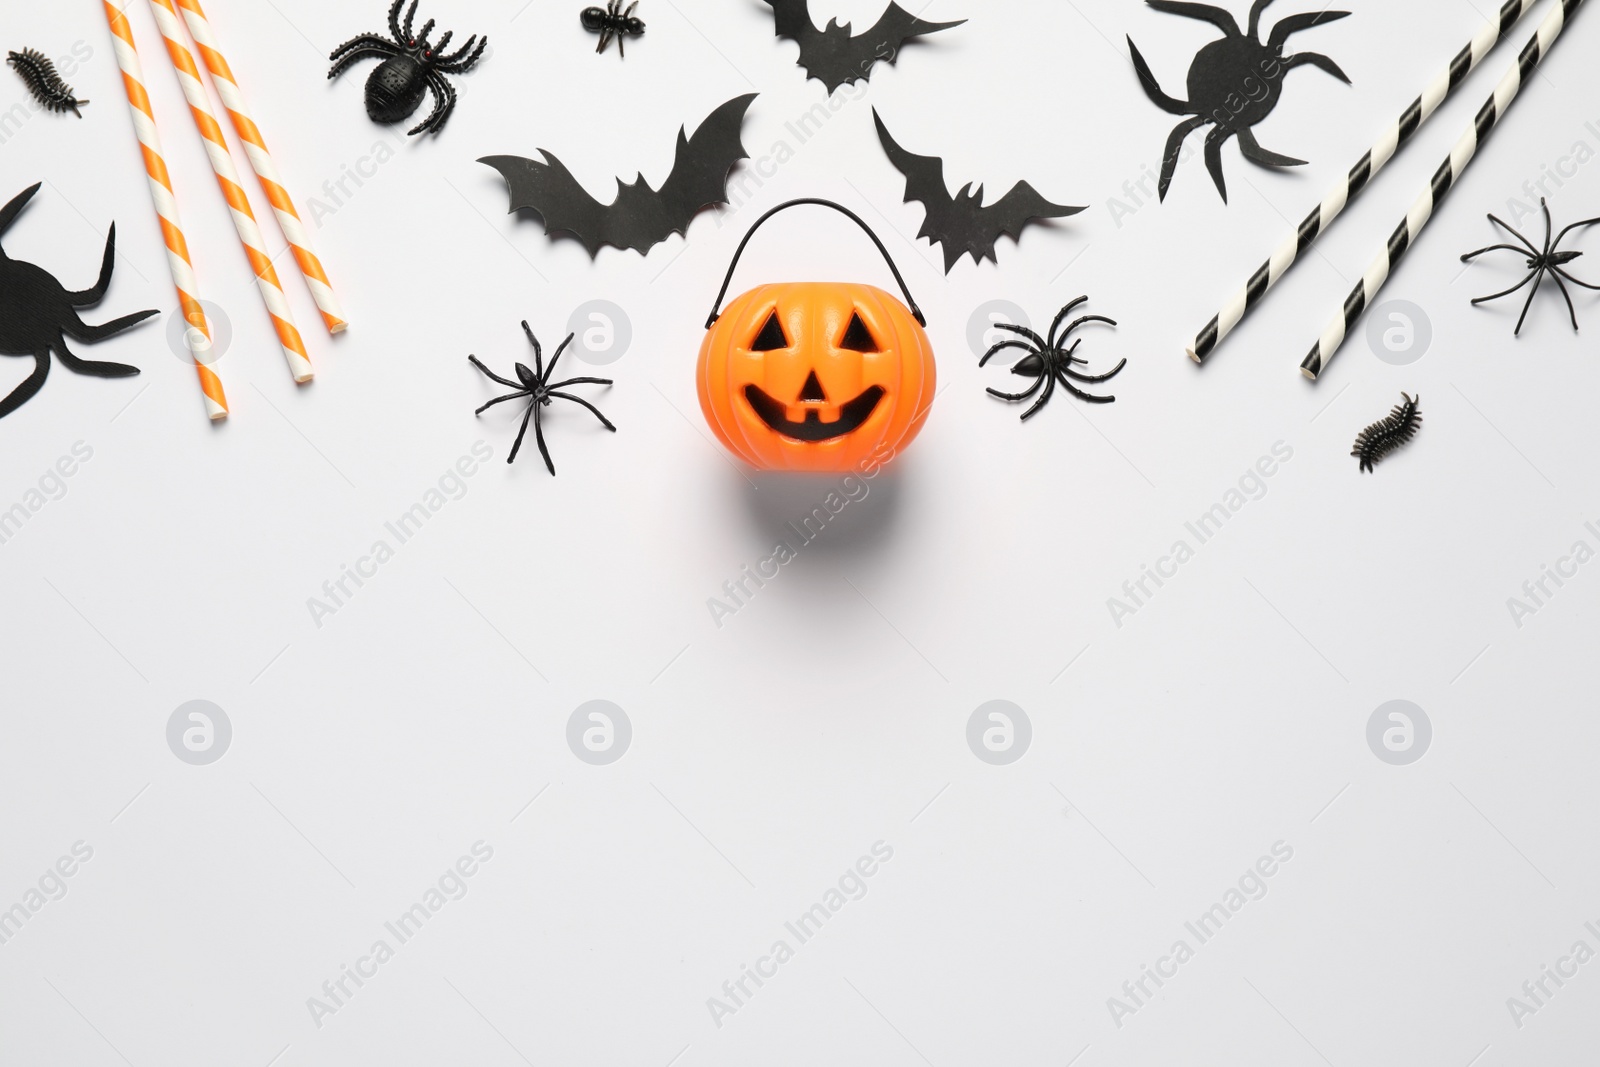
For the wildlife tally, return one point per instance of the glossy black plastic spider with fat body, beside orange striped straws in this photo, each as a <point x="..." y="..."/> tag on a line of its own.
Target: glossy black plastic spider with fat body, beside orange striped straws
<point x="410" y="68"/>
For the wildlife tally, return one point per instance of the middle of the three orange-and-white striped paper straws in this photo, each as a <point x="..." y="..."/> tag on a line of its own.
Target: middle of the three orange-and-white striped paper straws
<point x="228" y="182"/>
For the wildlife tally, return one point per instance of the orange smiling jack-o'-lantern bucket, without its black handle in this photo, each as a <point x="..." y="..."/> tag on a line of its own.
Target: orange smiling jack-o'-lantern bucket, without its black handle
<point x="815" y="377"/>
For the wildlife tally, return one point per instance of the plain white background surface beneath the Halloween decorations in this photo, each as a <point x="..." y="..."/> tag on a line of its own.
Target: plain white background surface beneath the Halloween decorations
<point x="830" y="714"/>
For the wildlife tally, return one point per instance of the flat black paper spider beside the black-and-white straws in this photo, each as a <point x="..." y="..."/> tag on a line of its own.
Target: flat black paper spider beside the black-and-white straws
<point x="1234" y="84"/>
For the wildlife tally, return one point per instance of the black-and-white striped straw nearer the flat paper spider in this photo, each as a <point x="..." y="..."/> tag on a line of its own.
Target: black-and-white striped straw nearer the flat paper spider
<point x="1393" y="140"/>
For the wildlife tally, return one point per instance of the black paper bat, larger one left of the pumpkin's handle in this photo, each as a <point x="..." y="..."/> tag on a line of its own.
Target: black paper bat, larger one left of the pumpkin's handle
<point x="641" y="217"/>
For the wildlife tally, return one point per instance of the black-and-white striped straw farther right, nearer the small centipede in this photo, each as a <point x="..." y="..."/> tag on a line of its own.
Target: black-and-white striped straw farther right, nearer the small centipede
<point x="1444" y="182"/>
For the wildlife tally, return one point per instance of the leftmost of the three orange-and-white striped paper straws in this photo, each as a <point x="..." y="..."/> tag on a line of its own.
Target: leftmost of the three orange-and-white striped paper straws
<point x="199" y="334"/>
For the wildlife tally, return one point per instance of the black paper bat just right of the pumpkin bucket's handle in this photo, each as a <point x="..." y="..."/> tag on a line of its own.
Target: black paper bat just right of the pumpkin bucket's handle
<point x="962" y="225"/>
